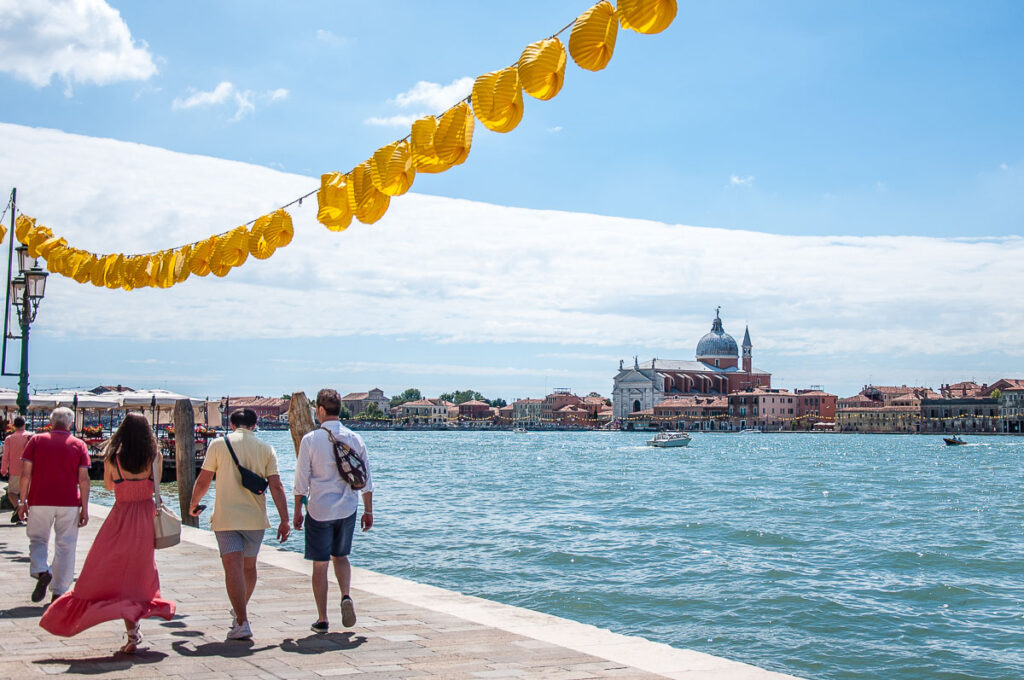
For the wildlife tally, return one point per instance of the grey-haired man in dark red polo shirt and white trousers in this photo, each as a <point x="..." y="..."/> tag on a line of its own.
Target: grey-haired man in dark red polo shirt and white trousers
<point x="55" y="495"/>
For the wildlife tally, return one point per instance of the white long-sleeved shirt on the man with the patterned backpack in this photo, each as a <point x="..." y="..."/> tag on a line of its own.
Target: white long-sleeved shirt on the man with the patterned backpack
<point x="317" y="477"/>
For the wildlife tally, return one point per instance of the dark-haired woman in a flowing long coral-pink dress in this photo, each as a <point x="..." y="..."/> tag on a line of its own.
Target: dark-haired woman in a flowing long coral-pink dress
<point x="119" y="579"/>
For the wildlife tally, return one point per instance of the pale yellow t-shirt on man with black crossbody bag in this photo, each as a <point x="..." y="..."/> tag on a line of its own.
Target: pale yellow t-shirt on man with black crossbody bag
<point x="237" y="508"/>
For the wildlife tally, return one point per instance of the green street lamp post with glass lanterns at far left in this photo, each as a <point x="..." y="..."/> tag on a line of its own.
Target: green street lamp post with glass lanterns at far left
<point x="26" y="291"/>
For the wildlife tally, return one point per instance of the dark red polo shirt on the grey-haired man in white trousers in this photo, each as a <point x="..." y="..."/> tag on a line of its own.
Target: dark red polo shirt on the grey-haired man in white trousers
<point x="57" y="458"/>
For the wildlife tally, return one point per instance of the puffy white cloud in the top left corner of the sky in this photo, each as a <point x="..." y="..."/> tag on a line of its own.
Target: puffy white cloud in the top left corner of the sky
<point x="79" y="41"/>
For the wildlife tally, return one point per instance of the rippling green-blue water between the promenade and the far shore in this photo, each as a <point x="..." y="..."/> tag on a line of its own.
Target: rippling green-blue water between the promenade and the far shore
<point x="825" y="557"/>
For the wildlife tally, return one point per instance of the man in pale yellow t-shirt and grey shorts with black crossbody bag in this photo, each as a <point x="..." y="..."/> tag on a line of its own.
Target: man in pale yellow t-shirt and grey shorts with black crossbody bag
<point x="239" y="516"/>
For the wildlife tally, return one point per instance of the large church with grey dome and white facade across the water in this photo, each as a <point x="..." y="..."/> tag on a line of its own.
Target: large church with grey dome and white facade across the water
<point x="716" y="372"/>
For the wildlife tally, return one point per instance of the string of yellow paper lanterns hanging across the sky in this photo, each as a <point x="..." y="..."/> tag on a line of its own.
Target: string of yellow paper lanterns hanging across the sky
<point x="436" y="144"/>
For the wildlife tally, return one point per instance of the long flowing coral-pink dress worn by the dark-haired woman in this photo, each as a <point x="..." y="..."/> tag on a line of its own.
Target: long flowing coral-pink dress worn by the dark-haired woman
<point x="119" y="579"/>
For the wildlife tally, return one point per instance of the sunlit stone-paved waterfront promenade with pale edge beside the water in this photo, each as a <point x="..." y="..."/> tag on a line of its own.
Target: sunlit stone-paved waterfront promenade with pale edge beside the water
<point x="406" y="630"/>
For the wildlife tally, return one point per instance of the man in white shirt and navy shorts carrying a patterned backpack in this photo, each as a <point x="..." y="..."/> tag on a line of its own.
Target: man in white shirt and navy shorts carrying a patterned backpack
<point x="331" y="506"/>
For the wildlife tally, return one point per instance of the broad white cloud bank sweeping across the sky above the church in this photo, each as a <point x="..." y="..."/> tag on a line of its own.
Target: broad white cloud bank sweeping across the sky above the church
<point x="453" y="271"/>
